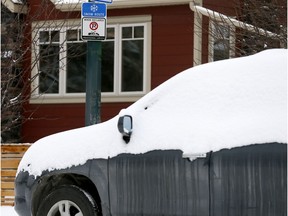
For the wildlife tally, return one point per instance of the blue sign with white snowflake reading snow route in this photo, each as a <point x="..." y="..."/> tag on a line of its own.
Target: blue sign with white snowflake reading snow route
<point x="95" y="10"/>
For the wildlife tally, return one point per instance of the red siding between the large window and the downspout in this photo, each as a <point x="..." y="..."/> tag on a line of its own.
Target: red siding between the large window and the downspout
<point x="172" y="43"/>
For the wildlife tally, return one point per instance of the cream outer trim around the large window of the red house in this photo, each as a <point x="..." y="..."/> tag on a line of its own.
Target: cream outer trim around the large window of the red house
<point x="81" y="97"/>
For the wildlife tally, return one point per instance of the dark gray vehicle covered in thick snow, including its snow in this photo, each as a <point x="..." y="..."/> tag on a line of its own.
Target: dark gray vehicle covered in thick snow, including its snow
<point x="201" y="144"/>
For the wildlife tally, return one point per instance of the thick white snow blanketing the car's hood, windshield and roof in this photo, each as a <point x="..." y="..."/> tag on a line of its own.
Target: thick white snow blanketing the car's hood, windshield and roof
<point x="213" y="106"/>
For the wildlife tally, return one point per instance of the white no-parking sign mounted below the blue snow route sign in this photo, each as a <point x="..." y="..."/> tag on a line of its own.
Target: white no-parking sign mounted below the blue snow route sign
<point x="93" y="28"/>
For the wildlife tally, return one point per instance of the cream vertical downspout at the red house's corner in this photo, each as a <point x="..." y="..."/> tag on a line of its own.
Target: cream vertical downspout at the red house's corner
<point x="197" y="40"/>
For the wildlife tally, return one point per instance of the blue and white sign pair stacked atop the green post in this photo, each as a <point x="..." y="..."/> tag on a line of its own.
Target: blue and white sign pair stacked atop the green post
<point x="93" y="21"/>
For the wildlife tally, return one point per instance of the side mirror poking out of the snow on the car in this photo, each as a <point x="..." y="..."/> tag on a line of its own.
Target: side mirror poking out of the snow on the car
<point x="125" y="126"/>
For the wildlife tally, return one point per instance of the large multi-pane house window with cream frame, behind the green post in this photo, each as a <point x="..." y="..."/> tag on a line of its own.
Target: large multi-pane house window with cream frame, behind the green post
<point x="60" y="70"/>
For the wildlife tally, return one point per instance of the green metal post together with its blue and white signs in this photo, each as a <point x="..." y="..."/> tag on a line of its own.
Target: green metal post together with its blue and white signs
<point x="93" y="23"/>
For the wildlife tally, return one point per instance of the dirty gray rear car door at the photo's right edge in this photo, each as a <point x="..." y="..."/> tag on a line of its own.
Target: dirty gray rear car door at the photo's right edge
<point x="249" y="180"/>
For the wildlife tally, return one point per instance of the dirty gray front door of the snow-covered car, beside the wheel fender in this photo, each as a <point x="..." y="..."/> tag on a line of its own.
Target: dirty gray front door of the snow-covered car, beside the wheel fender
<point x="158" y="183"/>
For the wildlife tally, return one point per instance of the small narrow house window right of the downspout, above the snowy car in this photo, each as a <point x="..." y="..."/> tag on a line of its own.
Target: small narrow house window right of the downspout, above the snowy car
<point x="221" y="43"/>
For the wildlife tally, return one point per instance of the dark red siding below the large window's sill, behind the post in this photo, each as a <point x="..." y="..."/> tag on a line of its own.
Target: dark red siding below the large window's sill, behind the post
<point x="48" y="119"/>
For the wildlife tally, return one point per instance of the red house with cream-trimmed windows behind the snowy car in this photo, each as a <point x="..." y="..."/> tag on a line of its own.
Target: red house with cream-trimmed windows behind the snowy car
<point x="147" y="42"/>
